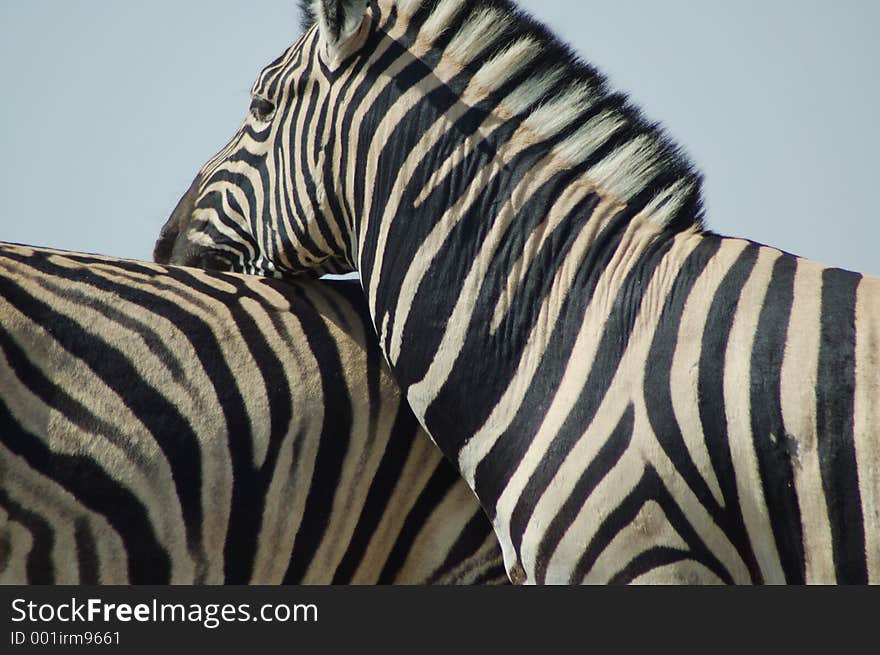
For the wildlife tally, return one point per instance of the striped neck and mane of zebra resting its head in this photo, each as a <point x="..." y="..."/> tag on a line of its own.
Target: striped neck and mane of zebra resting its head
<point x="478" y="213"/>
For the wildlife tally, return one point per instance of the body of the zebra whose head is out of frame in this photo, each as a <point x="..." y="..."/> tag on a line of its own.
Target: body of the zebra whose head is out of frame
<point x="164" y="425"/>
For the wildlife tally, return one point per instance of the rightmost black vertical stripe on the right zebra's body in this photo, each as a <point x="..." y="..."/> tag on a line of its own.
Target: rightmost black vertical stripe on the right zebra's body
<point x="835" y="401"/>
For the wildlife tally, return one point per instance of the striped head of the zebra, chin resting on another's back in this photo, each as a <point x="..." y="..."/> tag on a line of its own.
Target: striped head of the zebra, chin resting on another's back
<point x="264" y="204"/>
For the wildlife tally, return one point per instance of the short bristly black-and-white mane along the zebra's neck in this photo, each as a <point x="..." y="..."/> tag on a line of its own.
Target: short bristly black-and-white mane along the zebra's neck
<point x="563" y="99"/>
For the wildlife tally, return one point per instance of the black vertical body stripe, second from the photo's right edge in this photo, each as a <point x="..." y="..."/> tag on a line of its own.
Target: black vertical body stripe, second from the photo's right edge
<point x="773" y="445"/>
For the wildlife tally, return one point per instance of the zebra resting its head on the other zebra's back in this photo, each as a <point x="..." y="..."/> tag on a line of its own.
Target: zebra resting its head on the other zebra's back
<point x="632" y="397"/>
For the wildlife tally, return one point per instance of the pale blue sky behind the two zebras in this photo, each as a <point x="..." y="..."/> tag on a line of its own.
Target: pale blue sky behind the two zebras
<point x="109" y="108"/>
